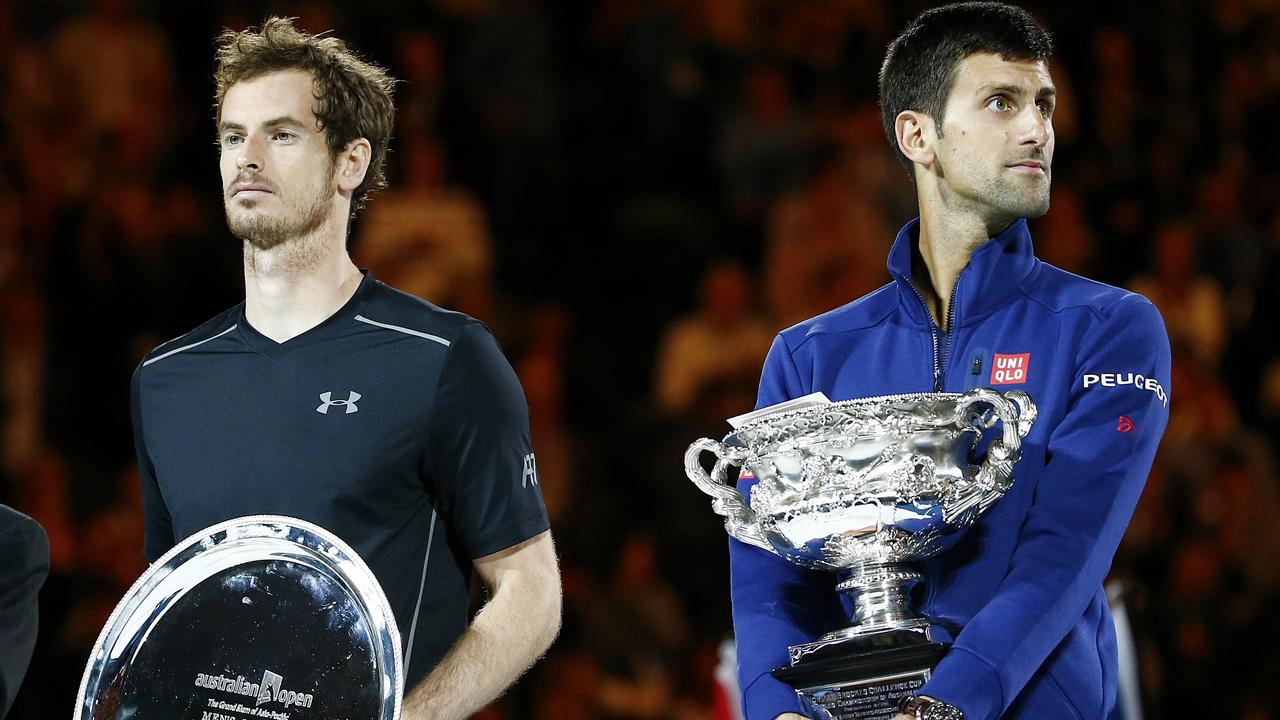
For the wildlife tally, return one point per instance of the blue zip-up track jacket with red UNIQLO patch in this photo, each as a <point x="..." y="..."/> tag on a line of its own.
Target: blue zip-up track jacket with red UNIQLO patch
<point x="1026" y="582"/>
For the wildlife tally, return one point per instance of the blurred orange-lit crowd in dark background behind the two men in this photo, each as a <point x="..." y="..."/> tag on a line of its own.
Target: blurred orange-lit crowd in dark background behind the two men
<point x="636" y="195"/>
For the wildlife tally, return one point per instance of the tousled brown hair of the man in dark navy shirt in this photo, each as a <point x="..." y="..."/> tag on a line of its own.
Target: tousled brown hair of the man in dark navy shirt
<point x="354" y="97"/>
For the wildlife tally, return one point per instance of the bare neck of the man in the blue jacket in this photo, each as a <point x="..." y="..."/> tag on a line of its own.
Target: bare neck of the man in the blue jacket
<point x="948" y="241"/>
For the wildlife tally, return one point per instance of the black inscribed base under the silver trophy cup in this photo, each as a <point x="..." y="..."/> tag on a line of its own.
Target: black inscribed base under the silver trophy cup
<point x="862" y="678"/>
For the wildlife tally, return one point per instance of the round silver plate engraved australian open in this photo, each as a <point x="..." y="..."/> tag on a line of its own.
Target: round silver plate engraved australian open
<point x="258" y="618"/>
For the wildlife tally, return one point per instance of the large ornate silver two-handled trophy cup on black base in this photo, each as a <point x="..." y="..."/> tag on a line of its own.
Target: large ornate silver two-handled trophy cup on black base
<point x="866" y="489"/>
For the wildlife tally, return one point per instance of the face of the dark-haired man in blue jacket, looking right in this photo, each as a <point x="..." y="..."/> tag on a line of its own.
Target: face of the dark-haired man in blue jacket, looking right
<point x="998" y="138"/>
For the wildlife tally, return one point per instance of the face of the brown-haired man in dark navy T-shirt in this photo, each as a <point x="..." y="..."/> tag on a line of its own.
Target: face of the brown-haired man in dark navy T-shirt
<point x="278" y="175"/>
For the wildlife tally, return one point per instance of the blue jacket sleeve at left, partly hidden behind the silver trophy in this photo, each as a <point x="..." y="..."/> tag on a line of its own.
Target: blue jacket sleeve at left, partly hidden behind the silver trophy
<point x="776" y="604"/>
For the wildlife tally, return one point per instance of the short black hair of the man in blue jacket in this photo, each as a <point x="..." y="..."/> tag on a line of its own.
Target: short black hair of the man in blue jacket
<point x="920" y="67"/>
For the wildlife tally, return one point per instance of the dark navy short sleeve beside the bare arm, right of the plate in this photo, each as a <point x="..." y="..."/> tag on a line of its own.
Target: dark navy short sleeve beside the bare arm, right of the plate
<point x="482" y="459"/>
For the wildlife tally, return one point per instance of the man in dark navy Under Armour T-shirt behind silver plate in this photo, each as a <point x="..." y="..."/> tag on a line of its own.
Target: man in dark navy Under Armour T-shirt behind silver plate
<point x="336" y="399"/>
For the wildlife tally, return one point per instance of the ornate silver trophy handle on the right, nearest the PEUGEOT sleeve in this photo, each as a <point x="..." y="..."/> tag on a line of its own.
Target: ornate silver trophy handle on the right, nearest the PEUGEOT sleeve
<point x="1017" y="413"/>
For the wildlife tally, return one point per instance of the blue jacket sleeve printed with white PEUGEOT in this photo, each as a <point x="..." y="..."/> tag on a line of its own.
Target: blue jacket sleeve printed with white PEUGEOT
<point x="1096" y="464"/>
